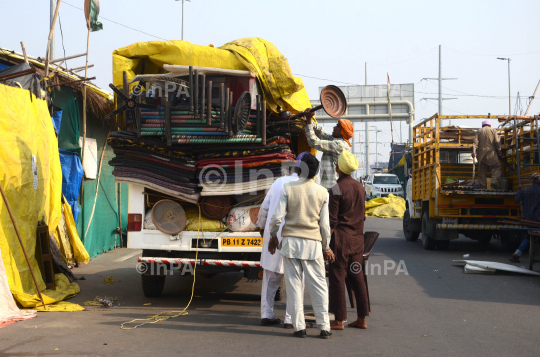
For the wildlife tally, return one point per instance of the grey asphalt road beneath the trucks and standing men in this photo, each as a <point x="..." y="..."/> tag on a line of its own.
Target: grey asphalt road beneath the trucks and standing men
<point x="436" y="310"/>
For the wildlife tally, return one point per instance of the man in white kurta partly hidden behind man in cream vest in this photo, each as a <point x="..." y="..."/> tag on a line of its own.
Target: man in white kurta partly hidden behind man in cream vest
<point x="272" y="264"/>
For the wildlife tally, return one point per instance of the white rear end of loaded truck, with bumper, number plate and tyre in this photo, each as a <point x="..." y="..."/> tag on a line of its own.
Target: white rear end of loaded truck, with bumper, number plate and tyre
<point x="213" y="252"/>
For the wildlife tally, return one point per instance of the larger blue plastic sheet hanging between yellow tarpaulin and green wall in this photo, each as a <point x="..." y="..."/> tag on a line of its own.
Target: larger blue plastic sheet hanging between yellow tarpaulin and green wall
<point x="72" y="174"/>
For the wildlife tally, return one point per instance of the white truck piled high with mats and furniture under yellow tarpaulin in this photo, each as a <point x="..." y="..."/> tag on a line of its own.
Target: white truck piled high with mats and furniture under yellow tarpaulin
<point x="204" y="133"/>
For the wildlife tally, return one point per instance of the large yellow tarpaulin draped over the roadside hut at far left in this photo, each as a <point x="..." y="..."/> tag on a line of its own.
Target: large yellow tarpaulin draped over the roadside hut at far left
<point x="31" y="177"/>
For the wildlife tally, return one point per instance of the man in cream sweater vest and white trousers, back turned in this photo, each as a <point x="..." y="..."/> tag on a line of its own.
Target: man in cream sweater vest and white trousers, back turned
<point x="305" y="245"/>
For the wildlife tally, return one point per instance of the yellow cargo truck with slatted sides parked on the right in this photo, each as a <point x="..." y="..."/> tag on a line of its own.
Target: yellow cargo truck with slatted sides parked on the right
<point x="442" y="203"/>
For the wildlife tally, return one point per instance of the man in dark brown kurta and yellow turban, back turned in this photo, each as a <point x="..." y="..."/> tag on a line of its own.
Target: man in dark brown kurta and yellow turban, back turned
<point x="347" y="215"/>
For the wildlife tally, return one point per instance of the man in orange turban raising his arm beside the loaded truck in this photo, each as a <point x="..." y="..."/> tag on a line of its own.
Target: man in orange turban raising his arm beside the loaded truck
<point x="331" y="145"/>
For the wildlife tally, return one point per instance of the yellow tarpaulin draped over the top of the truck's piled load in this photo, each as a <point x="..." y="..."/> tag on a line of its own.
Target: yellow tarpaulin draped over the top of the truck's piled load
<point x="280" y="87"/>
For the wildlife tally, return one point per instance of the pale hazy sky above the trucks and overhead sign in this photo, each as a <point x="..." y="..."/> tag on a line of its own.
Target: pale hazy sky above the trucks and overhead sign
<point x="327" y="40"/>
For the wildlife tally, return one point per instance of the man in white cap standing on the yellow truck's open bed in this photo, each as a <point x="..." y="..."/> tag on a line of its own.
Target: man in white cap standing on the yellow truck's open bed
<point x="487" y="149"/>
